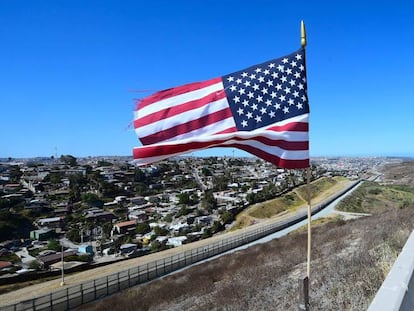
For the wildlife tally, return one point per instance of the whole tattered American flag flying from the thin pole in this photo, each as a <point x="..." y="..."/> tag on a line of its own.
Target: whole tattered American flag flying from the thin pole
<point x="263" y="110"/>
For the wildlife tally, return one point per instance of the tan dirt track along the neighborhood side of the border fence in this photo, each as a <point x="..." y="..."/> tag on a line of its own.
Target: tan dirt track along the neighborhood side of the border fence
<point x="41" y="289"/>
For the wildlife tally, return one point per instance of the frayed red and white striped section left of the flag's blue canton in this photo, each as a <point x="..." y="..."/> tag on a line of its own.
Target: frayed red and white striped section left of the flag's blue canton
<point x="191" y="110"/>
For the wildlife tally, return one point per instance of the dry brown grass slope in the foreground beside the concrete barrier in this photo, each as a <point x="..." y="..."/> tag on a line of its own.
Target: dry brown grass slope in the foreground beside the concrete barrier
<point x="350" y="261"/>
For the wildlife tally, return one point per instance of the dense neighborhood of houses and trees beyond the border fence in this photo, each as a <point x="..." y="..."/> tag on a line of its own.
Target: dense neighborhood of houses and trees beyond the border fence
<point x="100" y="209"/>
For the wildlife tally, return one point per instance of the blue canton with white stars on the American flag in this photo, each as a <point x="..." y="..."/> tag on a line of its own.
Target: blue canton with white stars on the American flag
<point x="269" y="92"/>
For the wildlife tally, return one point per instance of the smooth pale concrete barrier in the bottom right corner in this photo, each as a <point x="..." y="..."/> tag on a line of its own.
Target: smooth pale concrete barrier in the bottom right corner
<point x="397" y="291"/>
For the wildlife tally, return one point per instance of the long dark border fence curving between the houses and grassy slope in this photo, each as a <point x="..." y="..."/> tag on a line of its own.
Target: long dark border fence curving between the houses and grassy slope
<point x="76" y="295"/>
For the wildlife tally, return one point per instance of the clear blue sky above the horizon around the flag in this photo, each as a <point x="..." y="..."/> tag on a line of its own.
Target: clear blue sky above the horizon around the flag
<point x="69" y="69"/>
